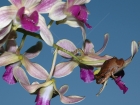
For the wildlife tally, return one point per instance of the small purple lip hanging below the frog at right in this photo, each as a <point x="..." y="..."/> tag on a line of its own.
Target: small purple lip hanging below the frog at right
<point x="121" y="84"/>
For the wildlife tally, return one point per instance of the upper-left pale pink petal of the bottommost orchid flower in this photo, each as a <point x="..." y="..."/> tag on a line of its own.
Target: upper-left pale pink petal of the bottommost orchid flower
<point x="20" y="75"/>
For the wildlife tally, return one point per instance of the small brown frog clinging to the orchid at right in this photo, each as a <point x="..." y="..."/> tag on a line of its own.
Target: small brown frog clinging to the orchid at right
<point x="108" y="69"/>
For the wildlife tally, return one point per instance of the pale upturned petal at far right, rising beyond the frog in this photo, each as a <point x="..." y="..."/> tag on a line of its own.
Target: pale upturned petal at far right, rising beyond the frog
<point x="134" y="50"/>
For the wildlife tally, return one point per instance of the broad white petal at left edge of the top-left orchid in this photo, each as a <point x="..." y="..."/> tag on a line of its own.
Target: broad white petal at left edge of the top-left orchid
<point x="7" y="13"/>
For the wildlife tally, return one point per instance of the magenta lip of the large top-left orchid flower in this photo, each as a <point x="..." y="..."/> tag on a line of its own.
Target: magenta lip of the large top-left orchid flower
<point x="28" y="22"/>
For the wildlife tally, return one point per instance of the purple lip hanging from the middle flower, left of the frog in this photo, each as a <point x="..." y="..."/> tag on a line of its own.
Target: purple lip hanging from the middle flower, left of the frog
<point x="86" y="74"/>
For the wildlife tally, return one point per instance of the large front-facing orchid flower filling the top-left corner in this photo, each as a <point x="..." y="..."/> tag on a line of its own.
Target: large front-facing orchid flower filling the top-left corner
<point x="26" y="14"/>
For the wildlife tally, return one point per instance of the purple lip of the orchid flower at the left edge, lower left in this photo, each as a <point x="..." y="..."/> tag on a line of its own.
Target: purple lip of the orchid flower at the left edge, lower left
<point x="8" y="75"/>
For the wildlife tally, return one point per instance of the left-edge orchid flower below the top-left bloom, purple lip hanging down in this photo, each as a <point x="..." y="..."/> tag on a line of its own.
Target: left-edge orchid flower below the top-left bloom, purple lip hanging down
<point x="11" y="59"/>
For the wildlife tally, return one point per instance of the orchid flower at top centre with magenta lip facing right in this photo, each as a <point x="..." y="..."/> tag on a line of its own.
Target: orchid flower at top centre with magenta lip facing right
<point x="72" y="12"/>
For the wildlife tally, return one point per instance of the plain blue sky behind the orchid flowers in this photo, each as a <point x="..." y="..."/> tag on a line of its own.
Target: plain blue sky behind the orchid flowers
<point x="119" y="18"/>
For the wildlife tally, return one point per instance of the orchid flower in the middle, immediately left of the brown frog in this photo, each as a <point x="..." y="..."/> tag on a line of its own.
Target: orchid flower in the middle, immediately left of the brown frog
<point x="87" y="54"/>
